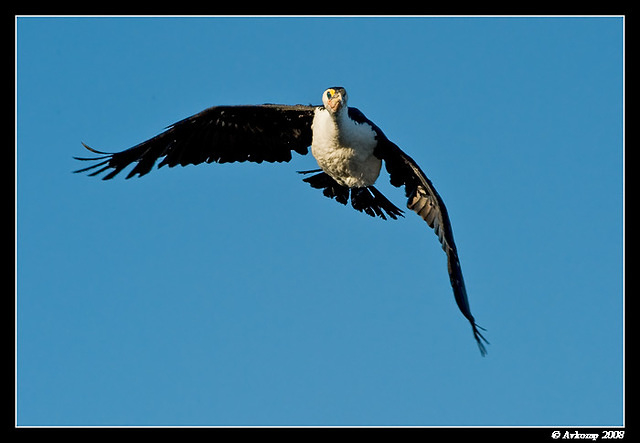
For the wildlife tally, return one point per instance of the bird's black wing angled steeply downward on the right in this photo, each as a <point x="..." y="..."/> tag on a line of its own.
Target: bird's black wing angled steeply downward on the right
<point x="425" y="201"/>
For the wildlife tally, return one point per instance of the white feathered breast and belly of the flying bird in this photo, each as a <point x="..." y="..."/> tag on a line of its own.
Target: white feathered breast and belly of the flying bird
<point x="344" y="149"/>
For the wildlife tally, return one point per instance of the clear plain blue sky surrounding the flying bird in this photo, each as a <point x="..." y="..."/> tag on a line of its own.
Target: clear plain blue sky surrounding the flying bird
<point x="236" y="294"/>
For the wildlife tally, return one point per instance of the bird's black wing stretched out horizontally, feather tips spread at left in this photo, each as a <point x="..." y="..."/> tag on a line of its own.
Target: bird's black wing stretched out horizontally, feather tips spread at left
<point x="219" y="134"/>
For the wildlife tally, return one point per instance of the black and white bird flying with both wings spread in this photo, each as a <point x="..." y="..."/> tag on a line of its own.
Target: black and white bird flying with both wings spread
<point x="348" y="148"/>
